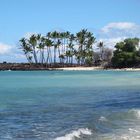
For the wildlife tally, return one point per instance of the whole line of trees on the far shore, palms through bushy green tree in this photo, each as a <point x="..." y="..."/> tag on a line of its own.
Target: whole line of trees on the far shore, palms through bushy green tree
<point x="65" y="48"/>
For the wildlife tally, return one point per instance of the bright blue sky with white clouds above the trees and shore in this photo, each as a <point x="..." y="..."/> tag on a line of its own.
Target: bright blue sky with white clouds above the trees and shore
<point x="109" y="20"/>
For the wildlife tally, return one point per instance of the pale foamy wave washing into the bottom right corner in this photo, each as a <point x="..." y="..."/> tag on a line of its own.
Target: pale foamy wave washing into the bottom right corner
<point x="127" y="131"/>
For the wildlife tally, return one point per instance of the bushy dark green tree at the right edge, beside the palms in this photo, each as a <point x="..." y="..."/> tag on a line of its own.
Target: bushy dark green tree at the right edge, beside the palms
<point x="127" y="53"/>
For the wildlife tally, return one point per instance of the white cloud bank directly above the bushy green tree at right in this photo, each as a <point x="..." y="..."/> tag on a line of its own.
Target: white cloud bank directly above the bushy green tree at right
<point x="115" y="32"/>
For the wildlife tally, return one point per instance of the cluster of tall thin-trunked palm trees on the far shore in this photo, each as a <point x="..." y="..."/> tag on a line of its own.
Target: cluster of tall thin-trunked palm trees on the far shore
<point x="60" y="47"/>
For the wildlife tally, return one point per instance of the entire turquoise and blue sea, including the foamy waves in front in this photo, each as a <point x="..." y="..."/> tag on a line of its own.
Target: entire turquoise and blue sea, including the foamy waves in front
<point x="69" y="105"/>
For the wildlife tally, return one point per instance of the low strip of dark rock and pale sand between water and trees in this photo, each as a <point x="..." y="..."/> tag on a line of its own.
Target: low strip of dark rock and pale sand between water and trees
<point x="28" y="67"/>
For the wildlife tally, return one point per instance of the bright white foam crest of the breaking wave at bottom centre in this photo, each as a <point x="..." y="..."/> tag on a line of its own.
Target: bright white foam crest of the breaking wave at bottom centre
<point x="76" y="133"/>
